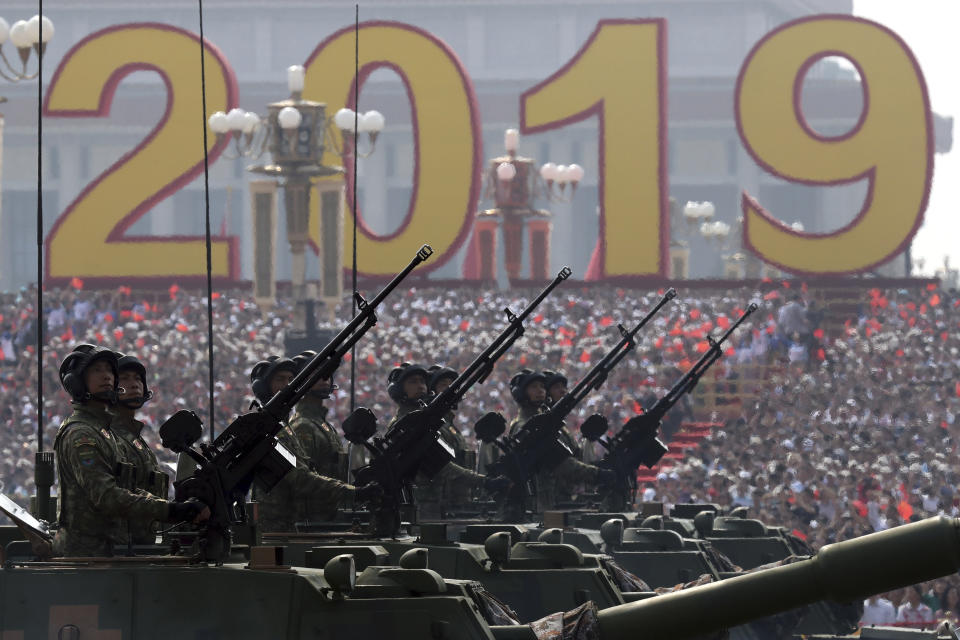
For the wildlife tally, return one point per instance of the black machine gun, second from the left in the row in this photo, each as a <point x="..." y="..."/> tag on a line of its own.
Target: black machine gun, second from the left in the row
<point x="411" y="445"/>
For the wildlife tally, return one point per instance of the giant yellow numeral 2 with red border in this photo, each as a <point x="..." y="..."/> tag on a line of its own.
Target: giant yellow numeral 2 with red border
<point x="89" y="239"/>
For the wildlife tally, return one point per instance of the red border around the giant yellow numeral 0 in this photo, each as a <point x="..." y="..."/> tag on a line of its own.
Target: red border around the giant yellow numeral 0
<point x="472" y="103"/>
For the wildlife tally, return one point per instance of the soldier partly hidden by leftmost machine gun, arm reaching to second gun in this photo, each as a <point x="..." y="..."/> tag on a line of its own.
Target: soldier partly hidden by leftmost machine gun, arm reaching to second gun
<point x="302" y="495"/>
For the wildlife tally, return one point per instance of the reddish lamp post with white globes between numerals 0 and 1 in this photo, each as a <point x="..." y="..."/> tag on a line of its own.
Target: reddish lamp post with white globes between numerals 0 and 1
<point x="514" y="182"/>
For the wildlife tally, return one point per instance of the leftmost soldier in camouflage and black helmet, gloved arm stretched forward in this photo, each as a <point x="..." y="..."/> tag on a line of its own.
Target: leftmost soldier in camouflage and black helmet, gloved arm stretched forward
<point x="96" y="509"/>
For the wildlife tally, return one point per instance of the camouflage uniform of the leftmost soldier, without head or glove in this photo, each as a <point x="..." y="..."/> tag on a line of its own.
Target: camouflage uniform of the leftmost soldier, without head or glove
<point x="95" y="510"/>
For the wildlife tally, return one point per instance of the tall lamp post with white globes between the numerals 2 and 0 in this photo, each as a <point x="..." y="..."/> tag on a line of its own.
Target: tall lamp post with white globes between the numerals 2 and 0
<point x="297" y="133"/>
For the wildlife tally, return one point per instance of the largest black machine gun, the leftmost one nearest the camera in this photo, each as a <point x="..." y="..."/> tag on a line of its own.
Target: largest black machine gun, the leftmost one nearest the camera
<point x="248" y="449"/>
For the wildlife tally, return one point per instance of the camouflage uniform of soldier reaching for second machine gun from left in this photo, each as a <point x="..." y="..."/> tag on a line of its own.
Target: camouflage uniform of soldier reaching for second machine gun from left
<point x="302" y="495"/>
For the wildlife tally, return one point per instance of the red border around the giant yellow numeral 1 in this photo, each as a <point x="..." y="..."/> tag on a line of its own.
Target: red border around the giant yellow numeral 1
<point x="599" y="257"/>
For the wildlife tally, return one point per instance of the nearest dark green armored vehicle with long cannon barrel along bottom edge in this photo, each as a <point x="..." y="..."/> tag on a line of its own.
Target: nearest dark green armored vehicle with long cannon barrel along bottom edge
<point x="166" y="596"/>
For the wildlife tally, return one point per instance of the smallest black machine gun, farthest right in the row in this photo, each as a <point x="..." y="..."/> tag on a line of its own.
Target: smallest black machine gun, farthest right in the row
<point x="637" y="442"/>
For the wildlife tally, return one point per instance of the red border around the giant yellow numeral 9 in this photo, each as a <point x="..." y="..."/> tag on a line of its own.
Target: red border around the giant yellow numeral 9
<point x="746" y="200"/>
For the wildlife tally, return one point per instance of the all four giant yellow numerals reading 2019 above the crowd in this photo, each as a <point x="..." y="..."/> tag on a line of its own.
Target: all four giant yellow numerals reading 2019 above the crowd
<point x="618" y="76"/>
